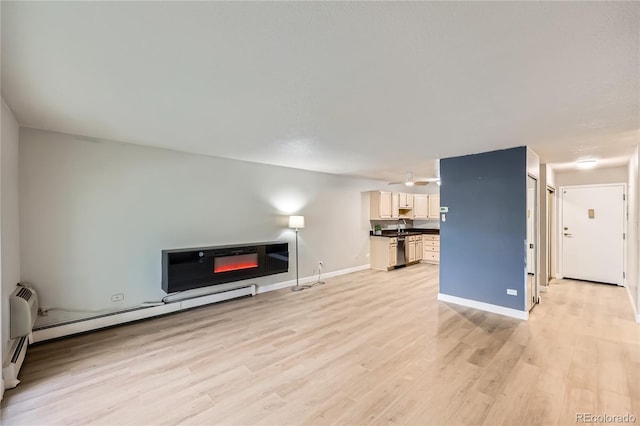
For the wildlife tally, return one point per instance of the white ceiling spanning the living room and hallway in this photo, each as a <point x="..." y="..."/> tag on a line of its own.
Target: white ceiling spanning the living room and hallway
<point x="363" y="88"/>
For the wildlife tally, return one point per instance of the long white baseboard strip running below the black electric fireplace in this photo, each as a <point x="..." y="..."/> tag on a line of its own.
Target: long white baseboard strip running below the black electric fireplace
<point x="117" y="318"/>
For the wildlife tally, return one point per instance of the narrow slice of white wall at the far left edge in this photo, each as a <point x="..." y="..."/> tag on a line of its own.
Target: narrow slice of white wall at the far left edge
<point x="9" y="217"/>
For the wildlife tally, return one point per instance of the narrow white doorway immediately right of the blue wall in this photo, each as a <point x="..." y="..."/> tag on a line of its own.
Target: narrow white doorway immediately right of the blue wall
<point x="532" y="242"/>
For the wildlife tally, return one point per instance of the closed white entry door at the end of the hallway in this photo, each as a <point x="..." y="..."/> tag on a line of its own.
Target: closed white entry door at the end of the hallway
<point x="592" y="233"/>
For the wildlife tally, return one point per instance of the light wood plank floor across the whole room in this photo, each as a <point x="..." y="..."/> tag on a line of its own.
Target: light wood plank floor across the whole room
<point x="366" y="348"/>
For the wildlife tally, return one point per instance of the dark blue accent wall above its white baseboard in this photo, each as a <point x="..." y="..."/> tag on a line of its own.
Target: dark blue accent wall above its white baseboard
<point x="482" y="242"/>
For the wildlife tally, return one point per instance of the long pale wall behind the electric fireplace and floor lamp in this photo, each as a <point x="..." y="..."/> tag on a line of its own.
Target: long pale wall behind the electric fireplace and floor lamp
<point x="96" y="215"/>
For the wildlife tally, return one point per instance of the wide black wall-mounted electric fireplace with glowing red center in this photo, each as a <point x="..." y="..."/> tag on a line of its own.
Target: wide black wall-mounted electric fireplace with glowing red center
<point x="188" y="268"/>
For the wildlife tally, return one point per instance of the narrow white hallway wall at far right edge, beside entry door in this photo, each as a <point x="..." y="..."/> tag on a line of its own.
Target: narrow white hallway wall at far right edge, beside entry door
<point x="633" y="200"/>
